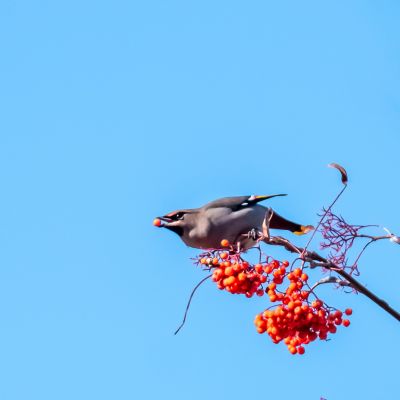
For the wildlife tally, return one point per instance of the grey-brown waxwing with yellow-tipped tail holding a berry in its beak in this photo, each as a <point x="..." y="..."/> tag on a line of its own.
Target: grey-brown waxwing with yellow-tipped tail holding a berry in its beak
<point x="230" y="218"/>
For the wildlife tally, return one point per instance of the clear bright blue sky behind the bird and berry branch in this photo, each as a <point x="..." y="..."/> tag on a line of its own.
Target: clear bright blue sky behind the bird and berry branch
<point x="114" y="112"/>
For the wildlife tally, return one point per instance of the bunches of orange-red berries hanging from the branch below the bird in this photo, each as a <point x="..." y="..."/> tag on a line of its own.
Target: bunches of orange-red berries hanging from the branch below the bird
<point x="294" y="319"/>
